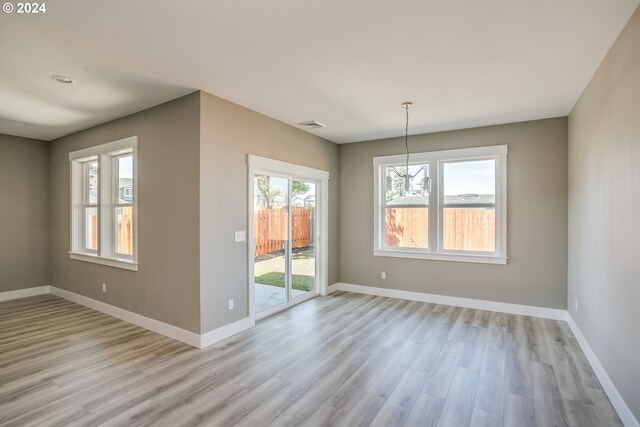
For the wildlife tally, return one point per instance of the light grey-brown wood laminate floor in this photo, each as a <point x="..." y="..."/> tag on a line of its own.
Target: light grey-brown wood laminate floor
<point x="345" y="359"/>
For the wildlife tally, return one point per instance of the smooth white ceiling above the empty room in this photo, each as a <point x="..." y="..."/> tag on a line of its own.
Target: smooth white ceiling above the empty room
<point x="348" y="64"/>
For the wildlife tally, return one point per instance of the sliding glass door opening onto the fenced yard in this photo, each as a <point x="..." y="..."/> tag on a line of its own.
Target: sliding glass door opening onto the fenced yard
<point x="284" y="234"/>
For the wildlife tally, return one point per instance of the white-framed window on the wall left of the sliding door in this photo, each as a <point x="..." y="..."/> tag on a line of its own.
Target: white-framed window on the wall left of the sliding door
<point x="103" y="204"/>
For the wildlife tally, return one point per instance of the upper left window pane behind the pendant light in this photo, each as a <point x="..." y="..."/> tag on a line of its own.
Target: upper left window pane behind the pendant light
<point x="397" y="192"/>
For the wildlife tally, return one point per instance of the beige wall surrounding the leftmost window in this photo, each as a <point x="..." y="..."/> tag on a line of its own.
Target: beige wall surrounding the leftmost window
<point x="166" y="287"/>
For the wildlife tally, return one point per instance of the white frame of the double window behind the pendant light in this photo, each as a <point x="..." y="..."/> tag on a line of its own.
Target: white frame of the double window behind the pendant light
<point x="435" y="160"/>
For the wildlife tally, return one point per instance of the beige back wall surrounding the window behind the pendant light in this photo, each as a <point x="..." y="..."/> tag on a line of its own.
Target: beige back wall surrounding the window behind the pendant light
<point x="537" y="219"/>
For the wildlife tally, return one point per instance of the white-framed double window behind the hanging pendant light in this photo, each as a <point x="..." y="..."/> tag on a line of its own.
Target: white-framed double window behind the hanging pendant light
<point x="453" y="209"/>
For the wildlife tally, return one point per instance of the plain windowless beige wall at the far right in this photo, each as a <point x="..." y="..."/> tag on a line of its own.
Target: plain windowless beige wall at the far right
<point x="604" y="213"/>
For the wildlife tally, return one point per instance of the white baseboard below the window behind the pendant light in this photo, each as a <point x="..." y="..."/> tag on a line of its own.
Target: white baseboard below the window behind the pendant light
<point x="502" y="307"/>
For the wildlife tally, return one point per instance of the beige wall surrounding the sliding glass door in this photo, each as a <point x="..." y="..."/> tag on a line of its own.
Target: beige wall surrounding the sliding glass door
<point x="228" y="133"/>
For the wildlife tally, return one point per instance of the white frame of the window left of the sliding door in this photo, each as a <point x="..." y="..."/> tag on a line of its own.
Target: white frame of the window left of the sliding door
<point x="108" y="200"/>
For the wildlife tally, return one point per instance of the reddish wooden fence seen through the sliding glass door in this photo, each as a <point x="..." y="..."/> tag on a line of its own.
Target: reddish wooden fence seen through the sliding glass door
<point x="270" y="229"/>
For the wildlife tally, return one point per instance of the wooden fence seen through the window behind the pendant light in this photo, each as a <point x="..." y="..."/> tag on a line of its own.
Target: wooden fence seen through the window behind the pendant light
<point x="469" y="229"/>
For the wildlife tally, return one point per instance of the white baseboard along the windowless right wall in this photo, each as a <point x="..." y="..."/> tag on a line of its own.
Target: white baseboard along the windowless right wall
<point x="625" y="414"/>
